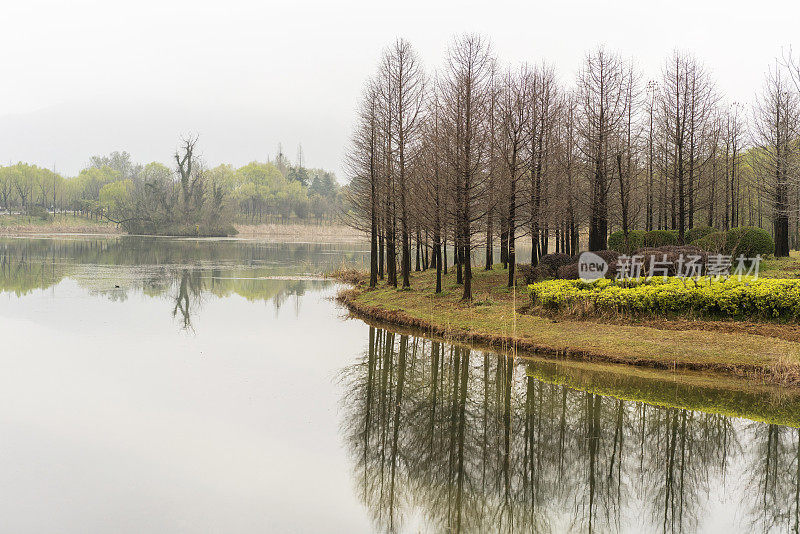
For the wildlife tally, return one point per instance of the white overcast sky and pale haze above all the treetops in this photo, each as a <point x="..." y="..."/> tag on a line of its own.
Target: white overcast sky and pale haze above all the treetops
<point x="84" y="77"/>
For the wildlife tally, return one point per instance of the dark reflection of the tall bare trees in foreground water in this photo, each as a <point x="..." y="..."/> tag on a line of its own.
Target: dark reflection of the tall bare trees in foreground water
<point x="462" y="441"/>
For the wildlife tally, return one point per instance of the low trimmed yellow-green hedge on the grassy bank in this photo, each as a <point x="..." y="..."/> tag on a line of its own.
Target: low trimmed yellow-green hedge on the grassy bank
<point x="745" y="298"/>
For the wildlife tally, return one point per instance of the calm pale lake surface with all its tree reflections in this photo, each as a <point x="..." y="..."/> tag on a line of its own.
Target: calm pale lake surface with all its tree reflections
<point x="166" y="385"/>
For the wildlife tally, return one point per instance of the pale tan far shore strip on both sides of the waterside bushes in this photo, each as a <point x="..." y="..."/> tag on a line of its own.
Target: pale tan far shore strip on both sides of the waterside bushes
<point x="17" y="225"/>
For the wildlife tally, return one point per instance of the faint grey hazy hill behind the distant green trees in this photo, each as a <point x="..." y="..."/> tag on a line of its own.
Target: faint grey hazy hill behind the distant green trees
<point x="65" y="136"/>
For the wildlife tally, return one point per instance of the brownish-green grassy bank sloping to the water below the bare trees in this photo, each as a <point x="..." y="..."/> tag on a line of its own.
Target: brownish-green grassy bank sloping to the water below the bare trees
<point x="501" y="319"/>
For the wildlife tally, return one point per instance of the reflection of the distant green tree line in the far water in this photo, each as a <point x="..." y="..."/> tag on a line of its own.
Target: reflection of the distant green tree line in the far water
<point x="185" y="271"/>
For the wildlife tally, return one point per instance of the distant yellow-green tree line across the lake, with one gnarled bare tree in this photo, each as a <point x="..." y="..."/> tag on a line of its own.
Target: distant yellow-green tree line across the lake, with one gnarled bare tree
<point x="117" y="188"/>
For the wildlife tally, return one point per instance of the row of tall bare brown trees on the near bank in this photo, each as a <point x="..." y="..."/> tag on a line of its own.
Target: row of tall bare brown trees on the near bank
<point x="477" y="154"/>
